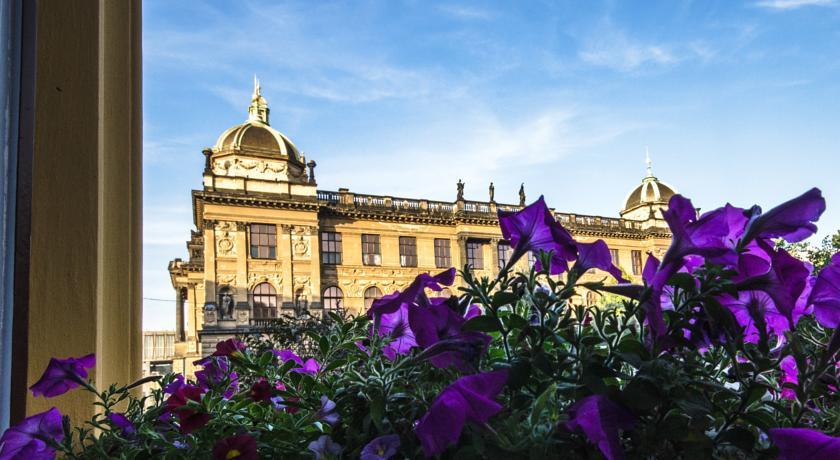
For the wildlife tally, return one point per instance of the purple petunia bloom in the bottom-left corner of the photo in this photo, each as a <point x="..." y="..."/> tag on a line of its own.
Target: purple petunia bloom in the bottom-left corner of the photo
<point x="27" y="439"/>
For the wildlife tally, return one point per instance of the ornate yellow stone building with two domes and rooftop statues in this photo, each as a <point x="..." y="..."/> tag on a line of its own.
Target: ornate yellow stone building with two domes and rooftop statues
<point x="267" y="242"/>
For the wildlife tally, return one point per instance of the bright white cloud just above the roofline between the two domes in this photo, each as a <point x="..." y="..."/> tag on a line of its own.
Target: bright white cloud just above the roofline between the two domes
<point x="476" y="146"/>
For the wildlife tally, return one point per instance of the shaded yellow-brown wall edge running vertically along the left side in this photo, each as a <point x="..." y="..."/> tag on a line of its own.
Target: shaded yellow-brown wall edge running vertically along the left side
<point x="86" y="195"/>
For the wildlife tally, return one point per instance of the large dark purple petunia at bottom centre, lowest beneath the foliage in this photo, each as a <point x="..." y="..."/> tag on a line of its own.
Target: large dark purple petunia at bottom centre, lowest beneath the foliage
<point x="468" y="399"/>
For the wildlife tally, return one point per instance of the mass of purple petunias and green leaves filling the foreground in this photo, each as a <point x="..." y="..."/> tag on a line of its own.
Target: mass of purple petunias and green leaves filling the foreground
<point x="728" y="349"/>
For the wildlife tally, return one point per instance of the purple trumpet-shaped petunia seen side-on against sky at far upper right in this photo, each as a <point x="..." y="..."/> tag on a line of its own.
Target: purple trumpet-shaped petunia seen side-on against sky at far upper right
<point x="792" y="220"/>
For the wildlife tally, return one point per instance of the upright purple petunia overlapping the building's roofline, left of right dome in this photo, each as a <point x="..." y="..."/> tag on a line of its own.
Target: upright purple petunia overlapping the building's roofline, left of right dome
<point x="534" y="229"/>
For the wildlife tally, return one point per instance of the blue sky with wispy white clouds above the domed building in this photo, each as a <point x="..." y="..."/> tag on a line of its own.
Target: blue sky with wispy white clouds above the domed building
<point x="737" y="101"/>
